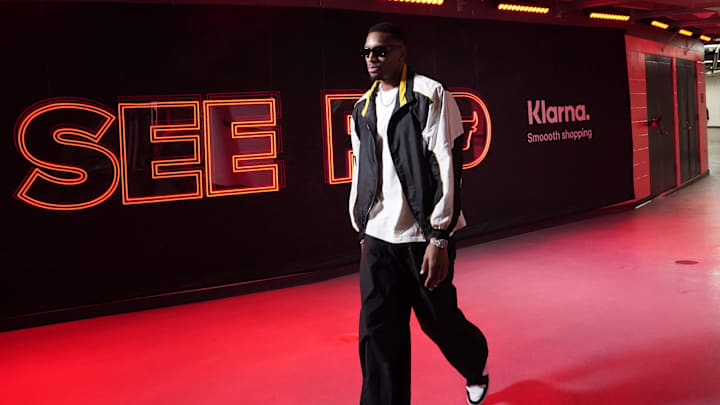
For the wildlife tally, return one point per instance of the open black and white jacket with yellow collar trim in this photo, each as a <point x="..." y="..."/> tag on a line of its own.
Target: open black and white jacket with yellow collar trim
<point x="425" y="142"/>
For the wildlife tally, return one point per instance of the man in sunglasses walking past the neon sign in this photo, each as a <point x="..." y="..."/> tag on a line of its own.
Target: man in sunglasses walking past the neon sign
<point x="405" y="205"/>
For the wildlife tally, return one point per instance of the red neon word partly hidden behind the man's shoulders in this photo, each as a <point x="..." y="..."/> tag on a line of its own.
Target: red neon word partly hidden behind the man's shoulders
<point x="337" y="111"/>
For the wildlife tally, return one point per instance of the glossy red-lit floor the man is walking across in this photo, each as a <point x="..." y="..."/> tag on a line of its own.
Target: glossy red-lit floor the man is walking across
<point x="594" y="312"/>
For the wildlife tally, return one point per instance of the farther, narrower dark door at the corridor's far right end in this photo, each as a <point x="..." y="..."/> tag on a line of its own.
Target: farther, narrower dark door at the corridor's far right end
<point x="688" y="142"/>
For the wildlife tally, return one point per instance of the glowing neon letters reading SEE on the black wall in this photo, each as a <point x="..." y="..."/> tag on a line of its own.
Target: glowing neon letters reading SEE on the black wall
<point x="166" y="152"/>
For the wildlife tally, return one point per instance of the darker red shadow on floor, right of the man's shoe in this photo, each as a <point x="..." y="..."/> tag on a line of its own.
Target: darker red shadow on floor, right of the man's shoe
<point x="637" y="377"/>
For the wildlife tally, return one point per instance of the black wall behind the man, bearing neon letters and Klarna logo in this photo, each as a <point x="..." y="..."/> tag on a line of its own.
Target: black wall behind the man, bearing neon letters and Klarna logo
<point x="108" y="53"/>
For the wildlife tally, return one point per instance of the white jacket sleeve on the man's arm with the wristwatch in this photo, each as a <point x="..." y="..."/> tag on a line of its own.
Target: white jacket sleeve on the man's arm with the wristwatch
<point x="443" y="136"/>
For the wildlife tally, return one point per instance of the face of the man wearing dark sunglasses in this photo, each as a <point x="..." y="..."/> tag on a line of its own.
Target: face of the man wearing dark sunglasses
<point x="389" y="66"/>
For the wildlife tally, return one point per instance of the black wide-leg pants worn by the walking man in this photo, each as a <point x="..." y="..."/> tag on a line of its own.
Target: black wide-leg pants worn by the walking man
<point x="391" y="284"/>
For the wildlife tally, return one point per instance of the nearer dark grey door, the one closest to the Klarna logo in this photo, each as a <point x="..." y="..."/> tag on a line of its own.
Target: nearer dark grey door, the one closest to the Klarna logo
<point x="661" y="137"/>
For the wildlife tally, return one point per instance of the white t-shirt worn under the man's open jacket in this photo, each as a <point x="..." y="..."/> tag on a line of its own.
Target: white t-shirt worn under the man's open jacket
<point x="390" y="218"/>
